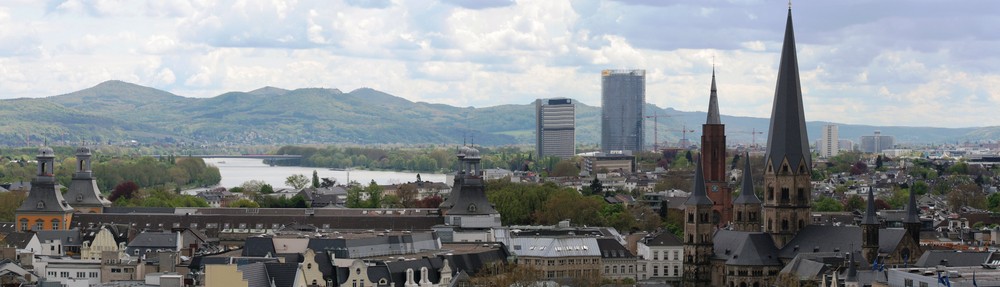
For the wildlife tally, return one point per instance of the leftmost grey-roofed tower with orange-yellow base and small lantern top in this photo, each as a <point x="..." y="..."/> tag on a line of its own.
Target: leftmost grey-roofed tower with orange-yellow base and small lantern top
<point x="45" y="208"/>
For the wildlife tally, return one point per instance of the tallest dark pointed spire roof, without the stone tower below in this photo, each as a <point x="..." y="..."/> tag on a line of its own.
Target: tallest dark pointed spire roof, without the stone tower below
<point x="787" y="137"/>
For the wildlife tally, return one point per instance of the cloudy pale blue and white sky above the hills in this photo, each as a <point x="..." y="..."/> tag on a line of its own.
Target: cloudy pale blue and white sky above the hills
<point x="907" y="63"/>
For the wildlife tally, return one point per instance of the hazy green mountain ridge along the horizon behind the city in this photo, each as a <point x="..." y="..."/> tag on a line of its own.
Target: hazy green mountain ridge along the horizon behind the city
<point x="117" y="111"/>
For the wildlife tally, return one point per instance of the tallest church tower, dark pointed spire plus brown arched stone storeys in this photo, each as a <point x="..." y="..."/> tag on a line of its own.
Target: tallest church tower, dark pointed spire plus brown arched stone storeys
<point x="788" y="165"/>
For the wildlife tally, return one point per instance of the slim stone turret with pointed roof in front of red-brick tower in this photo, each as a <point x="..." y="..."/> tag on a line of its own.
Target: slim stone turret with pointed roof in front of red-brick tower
<point x="698" y="232"/>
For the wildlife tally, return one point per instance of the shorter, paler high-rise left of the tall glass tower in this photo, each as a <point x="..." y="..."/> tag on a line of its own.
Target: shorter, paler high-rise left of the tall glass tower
<point x="555" y="127"/>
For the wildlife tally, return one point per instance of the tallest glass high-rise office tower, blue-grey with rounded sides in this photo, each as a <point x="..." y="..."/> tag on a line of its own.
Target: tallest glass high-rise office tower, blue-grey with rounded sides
<point x="623" y="96"/>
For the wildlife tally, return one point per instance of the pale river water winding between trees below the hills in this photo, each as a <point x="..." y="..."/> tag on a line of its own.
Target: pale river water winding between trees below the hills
<point x="236" y="171"/>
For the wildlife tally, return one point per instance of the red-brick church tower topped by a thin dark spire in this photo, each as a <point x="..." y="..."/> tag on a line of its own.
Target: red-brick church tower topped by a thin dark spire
<point x="713" y="154"/>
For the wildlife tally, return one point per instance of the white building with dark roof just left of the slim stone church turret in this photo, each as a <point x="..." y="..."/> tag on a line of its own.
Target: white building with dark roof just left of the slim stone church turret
<point x="660" y="258"/>
